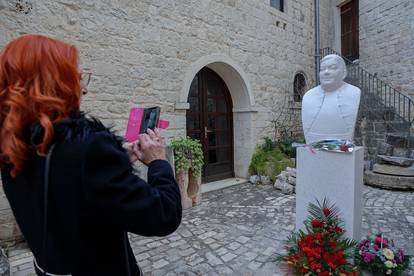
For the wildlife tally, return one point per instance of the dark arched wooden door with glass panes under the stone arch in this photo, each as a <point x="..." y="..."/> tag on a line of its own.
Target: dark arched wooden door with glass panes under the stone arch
<point x="210" y="120"/>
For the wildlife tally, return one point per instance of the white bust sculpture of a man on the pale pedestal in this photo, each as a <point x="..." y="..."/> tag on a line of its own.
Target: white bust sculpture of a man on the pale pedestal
<point x="329" y="111"/>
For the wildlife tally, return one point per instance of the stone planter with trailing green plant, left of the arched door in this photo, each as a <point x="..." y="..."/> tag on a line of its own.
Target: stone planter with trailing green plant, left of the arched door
<point x="189" y="161"/>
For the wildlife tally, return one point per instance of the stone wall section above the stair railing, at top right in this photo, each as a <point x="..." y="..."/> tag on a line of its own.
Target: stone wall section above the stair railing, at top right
<point x="386" y="41"/>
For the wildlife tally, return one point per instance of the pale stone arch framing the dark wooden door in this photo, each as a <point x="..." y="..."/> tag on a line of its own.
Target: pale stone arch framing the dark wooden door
<point x="243" y="105"/>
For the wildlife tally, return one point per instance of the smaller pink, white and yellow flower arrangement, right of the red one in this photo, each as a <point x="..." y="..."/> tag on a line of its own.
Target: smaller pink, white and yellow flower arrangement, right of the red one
<point x="378" y="254"/>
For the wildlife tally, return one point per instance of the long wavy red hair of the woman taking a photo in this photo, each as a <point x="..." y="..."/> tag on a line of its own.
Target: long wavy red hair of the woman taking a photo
<point x="39" y="83"/>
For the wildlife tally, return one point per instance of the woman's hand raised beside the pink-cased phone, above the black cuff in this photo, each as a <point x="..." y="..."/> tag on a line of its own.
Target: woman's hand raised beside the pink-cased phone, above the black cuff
<point x="151" y="147"/>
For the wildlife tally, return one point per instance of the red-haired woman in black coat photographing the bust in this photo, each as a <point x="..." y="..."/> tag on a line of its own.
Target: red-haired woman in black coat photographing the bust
<point x="68" y="179"/>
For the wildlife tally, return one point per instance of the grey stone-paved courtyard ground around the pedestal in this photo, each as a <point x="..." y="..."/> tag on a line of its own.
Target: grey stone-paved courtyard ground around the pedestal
<point x="241" y="229"/>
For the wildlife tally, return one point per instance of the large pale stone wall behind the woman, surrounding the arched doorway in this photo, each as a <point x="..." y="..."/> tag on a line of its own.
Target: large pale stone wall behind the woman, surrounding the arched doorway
<point x="141" y="52"/>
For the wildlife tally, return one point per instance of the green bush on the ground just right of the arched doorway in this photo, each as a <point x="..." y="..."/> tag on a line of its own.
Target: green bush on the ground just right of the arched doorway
<point x="269" y="160"/>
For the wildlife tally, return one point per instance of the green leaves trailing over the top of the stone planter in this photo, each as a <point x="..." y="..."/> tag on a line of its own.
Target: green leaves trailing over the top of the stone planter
<point x="188" y="154"/>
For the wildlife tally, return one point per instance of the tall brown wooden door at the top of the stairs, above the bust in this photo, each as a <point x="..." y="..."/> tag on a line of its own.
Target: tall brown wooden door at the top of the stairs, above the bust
<point x="350" y="30"/>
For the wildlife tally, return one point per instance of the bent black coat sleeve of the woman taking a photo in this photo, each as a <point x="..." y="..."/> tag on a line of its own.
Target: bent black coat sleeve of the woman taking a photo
<point x="109" y="185"/>
